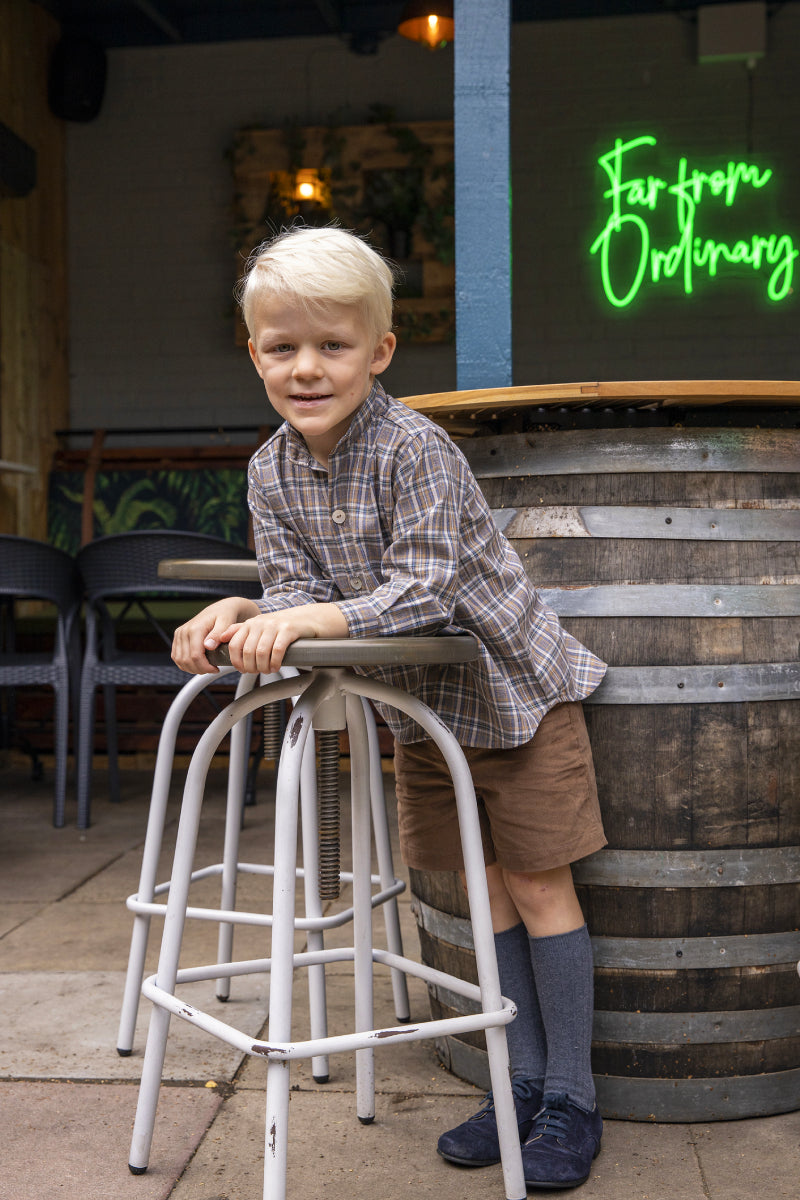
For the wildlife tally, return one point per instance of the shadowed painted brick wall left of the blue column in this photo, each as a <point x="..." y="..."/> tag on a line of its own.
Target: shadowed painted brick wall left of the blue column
<point x="151" y="255"/>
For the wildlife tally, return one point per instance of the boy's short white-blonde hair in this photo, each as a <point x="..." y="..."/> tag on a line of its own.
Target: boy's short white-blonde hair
<point x="317" y="267"/>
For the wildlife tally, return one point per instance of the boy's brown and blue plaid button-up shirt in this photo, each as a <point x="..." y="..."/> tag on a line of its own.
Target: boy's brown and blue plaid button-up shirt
<point x="399" y="535"/>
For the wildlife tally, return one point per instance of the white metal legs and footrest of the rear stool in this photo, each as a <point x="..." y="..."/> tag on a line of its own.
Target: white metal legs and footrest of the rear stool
<point x="146" y="904"/>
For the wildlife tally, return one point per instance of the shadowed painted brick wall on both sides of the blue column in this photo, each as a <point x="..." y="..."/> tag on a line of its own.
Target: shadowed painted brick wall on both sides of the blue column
<point x="149" y="194"/>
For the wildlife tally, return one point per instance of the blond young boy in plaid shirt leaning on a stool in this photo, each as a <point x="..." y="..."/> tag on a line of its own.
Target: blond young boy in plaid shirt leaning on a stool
<point x="369" y="523"/>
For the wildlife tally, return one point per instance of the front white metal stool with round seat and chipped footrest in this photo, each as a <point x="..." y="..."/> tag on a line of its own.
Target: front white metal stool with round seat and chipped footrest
<point x="332" y="697"/>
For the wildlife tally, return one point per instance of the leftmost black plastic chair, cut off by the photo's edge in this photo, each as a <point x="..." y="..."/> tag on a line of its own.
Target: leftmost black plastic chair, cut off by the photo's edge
<point x="34" y="571"/>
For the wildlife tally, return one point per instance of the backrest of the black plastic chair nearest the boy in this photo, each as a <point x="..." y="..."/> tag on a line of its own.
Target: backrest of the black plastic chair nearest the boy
<point x="127" y="565"/>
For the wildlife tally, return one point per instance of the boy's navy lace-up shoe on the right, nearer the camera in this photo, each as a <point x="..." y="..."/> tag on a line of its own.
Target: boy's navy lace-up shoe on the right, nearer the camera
<point x="563" y="1144"/>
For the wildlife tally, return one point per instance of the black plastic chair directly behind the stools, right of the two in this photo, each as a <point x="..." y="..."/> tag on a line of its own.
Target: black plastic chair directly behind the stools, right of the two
<point x="121" y="575"/>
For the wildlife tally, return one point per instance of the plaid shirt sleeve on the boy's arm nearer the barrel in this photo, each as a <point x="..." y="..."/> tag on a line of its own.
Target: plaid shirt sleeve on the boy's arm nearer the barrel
<point x="420" y="565"/>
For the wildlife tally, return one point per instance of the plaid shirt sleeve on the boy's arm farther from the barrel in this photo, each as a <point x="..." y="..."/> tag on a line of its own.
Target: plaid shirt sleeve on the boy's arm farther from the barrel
<point x="291" y="577"/>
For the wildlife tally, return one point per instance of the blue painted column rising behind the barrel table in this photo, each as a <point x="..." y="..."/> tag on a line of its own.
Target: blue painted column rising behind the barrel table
<point x="483" y="194"/>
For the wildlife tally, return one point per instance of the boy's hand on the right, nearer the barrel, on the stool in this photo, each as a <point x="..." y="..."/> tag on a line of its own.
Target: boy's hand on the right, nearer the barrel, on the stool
<point x="260" y="644"/>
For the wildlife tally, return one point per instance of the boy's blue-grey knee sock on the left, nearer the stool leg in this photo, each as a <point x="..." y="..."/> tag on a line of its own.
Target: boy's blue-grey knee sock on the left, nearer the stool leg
<point x="526" y="1034"/>
